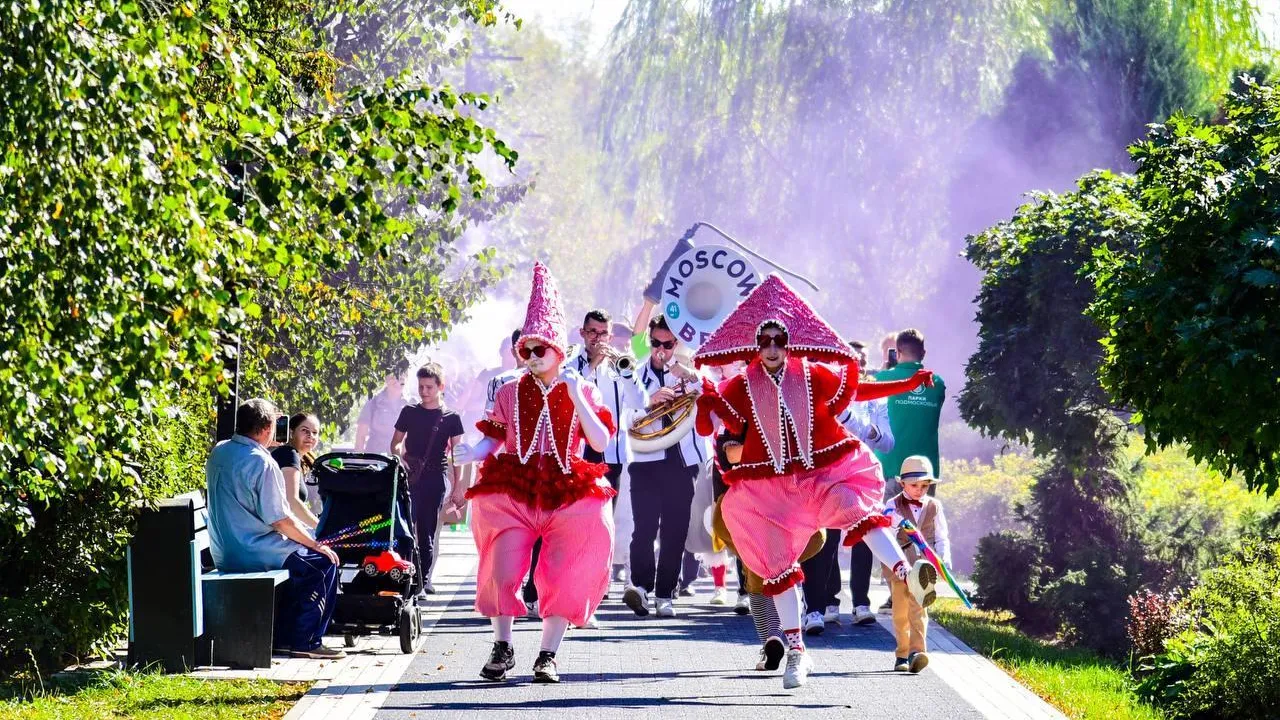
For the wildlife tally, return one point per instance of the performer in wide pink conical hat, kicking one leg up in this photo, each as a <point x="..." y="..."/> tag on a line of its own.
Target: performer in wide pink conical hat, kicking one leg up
<point x="801" y="471"/>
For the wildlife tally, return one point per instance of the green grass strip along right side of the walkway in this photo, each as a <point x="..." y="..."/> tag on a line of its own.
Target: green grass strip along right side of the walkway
<point x="1077" y="682"/>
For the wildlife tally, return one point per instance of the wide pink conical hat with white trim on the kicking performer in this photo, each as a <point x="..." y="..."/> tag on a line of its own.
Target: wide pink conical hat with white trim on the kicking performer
<point x="808" y="335"/>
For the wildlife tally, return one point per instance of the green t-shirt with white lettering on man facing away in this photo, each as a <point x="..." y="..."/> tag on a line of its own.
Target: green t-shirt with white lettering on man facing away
<point x="915" y="420"/>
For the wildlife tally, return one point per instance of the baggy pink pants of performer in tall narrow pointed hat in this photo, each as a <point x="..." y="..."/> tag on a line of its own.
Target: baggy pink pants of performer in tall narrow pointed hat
<point x="573" y="571"/>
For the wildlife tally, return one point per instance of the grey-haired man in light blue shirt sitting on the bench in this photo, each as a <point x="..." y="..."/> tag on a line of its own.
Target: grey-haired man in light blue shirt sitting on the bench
<point x="252" y="530"/>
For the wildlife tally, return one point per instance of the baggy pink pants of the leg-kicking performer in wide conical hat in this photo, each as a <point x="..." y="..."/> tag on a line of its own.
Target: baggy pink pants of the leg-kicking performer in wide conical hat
<point x="772" y="520"/>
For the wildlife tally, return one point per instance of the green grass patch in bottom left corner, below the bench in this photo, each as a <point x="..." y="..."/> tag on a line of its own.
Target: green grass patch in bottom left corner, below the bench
<point x="118" y="695"/>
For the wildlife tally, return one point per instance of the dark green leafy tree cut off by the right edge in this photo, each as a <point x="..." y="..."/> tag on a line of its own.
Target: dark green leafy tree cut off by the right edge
<point x="1191" y="311"/>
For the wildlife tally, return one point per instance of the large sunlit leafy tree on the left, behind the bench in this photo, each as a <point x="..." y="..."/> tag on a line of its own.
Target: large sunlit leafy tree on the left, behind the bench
<point x="164" y="185"/>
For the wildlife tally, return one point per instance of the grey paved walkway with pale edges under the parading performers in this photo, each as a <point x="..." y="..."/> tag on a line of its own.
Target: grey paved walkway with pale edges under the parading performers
<point x="697" y="666"/>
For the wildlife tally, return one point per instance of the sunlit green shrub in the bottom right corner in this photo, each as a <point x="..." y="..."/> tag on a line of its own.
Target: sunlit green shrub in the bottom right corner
<point x="1223" y="666"/>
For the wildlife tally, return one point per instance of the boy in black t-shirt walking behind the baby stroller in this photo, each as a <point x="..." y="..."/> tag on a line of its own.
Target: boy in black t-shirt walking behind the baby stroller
<point x="426" y="436"/>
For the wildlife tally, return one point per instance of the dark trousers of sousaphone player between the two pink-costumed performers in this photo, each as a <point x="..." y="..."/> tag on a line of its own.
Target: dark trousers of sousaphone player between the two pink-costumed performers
<point x="661" y="496"/>
